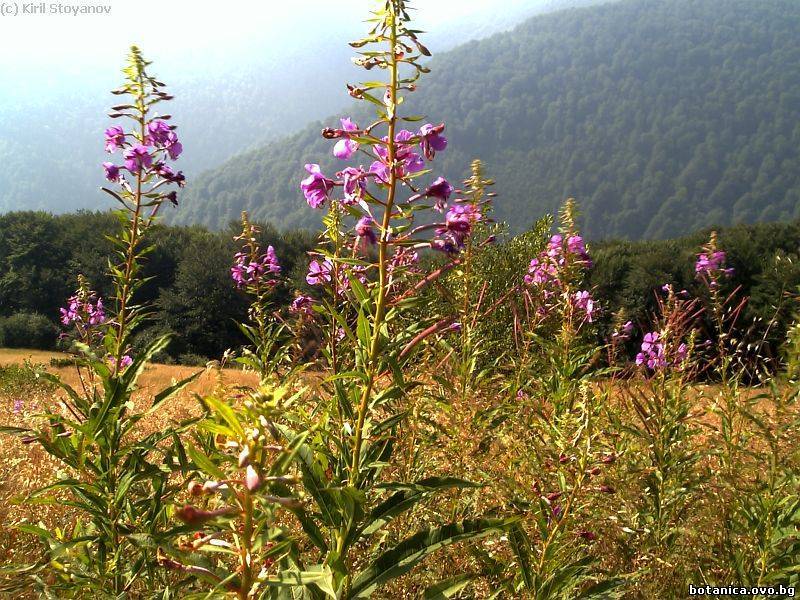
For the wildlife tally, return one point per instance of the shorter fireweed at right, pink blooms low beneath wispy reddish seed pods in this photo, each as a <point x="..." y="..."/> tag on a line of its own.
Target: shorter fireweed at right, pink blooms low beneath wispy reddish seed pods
<point x="659" y="433"/>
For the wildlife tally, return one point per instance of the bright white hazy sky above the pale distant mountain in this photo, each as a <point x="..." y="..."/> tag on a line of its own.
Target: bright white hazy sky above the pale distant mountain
<point x="177" y="29"/>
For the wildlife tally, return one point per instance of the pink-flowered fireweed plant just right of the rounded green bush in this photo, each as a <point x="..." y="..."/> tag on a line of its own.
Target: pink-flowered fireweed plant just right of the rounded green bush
<point x="556" y="410"/>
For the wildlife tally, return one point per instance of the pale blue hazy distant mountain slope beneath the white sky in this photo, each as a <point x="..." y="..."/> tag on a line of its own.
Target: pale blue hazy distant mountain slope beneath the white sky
<point x="226" y="101"/>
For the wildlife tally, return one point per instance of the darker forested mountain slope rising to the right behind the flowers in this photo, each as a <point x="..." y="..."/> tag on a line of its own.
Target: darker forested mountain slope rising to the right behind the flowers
<point x="659" y="117"/>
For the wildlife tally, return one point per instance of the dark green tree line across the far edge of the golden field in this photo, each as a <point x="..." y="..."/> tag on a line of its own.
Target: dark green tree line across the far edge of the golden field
<point x="195" y="299"/>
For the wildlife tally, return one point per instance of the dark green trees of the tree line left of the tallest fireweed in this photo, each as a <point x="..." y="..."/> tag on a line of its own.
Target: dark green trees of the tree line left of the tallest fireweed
<point x="187" y="278"/>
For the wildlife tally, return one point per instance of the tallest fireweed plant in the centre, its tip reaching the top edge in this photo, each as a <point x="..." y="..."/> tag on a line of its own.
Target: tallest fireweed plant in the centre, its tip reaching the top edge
<point x="374" y="277"/>
